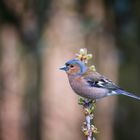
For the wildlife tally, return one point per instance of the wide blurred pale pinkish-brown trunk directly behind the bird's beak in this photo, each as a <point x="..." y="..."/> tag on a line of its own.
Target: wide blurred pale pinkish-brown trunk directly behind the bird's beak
<point x="61" y="118"/>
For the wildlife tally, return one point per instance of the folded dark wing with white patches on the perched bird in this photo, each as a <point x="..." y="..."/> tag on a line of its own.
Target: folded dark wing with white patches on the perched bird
<point x="97" y="80"/>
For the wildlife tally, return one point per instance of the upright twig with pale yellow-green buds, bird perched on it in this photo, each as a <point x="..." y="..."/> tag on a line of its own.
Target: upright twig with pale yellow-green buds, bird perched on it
<point x="88" y="127"/>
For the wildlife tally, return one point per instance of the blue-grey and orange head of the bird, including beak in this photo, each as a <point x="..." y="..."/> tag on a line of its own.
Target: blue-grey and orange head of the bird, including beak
<point x="74" y="67"/>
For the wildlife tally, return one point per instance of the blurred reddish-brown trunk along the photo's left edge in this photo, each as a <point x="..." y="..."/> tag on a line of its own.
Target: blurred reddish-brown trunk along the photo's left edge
<point x="11" y="105"/>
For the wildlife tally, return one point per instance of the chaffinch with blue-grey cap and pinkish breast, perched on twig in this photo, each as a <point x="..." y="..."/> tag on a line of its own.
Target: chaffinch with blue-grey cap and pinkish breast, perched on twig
<point x="91" y="84"/>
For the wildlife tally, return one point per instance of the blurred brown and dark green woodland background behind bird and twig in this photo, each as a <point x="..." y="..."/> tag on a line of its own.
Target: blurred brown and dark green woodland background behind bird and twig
<point x="39" y="36"/>
